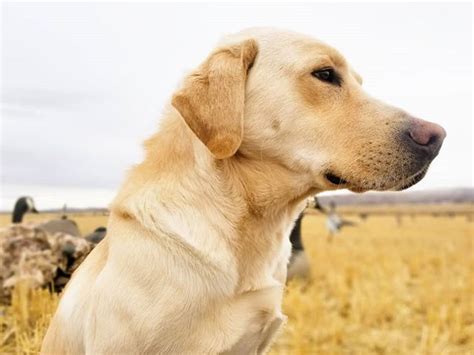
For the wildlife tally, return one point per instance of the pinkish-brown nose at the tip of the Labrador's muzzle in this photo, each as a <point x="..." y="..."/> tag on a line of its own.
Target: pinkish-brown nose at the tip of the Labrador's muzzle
<point x="426" y="136"/>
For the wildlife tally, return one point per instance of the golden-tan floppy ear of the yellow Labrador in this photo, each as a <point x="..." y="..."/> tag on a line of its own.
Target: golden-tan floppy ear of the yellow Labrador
<point x="211" y="100"/>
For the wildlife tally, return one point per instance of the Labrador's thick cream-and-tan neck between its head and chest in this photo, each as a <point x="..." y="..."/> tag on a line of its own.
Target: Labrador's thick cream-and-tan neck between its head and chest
<point x="239" y="205"/>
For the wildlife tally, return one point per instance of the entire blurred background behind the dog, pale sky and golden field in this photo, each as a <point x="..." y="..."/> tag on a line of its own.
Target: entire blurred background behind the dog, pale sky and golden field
<point x="83" y="84"/>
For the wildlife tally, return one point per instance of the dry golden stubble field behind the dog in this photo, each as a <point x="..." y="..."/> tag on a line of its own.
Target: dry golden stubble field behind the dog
<point x="378" y="288"/>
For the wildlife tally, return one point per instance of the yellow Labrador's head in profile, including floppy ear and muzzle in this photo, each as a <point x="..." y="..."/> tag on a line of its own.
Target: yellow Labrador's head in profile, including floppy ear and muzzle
<point x="288" y="98"/>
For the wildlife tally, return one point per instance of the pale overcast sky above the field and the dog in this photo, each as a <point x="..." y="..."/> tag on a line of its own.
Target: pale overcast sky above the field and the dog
<point x="83" y="84"/>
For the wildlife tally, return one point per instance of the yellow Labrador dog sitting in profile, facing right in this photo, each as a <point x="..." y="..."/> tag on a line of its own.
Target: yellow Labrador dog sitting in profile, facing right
<point x="196" y="253"/>
